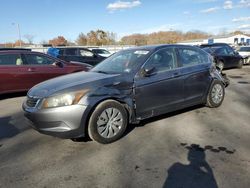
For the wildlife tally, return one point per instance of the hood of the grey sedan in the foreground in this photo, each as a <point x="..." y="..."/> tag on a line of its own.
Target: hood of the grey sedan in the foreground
<point x="73" y="82"/>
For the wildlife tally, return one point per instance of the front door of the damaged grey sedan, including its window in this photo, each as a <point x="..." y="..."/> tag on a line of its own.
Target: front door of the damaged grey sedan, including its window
<point x="162" y="91"/>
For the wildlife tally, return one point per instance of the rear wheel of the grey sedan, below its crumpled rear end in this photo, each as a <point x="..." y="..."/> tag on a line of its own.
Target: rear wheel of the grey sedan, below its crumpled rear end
<point x="216" y="94"/>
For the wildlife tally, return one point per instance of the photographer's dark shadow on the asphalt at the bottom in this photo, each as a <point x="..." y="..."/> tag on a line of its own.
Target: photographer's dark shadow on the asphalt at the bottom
<point x="196" y="174"/>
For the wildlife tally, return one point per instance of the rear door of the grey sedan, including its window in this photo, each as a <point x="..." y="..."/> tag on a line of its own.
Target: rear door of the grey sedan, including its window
<point x="195" y="69"/>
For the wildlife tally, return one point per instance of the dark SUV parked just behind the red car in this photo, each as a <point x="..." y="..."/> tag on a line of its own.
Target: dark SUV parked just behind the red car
<point x="76" y="54"/>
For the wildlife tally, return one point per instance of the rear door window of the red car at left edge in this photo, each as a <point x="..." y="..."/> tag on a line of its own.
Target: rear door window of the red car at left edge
<point x="11" y="59"/>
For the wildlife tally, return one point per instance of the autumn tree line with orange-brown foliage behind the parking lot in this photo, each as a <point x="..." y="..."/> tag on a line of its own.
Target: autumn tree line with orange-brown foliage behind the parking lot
<point x="100" y="37"/>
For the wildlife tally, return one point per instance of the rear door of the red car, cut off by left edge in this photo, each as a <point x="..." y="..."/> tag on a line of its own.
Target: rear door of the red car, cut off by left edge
<point x="13" y="73"/>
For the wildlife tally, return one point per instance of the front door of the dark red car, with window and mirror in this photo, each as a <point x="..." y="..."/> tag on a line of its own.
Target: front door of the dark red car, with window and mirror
<point x="41" y="68"/>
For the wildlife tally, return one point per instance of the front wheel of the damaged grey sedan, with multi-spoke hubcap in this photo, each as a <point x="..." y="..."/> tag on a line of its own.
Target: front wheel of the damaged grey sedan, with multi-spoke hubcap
<point x="108" y="122"/>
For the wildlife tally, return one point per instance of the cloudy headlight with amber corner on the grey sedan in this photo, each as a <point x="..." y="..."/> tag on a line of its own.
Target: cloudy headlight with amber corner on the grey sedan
<point x="66" y="99"/>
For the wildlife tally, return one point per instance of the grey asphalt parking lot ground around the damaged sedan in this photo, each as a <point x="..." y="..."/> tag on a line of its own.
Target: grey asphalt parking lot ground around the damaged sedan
<point x="195" y="147"/>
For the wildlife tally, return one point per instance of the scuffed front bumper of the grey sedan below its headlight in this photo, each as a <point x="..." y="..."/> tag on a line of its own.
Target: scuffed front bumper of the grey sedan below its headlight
<point x="63" y="122"/>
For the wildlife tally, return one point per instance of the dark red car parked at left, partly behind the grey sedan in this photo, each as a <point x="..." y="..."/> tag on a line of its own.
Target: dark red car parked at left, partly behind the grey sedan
<point x="22" y="69"/>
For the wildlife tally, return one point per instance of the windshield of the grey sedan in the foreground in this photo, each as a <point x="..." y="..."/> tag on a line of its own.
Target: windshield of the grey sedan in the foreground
<point x="122" y="62"/>
